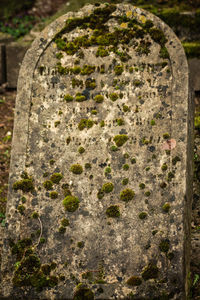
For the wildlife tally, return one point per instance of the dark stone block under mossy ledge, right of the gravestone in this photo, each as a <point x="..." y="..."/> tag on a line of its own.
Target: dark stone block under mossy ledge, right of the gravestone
<point x="194" y="67"/>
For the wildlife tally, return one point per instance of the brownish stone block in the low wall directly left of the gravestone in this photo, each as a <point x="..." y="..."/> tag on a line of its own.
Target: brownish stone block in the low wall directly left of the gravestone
<point x="14" y="57"/>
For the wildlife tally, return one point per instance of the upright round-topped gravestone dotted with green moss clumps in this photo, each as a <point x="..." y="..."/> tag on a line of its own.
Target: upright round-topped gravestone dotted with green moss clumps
<point x="100" y="182"/>
